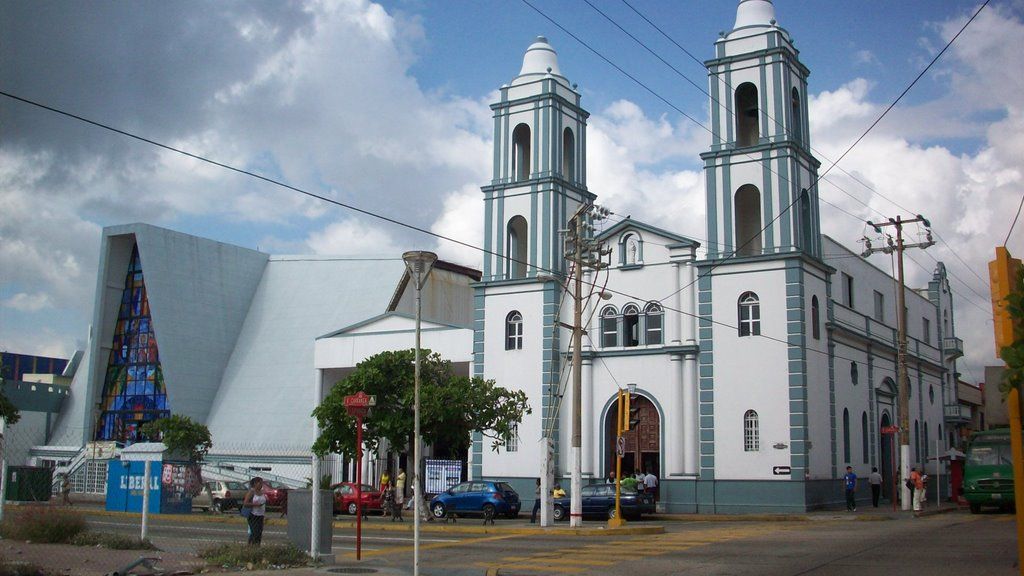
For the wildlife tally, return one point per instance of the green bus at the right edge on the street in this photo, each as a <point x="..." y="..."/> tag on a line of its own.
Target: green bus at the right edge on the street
<point x="989" y="472"/>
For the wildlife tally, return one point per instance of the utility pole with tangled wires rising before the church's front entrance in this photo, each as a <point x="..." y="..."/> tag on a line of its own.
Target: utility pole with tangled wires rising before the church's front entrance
<point x="584" y="252"/>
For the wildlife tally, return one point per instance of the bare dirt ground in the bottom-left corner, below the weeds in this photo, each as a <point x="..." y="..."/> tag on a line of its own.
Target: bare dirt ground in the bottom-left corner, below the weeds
<point x="84" y="561"/>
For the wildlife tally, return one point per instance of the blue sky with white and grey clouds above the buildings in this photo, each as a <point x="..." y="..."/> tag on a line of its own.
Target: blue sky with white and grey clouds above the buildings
<point x="386" y="107"/>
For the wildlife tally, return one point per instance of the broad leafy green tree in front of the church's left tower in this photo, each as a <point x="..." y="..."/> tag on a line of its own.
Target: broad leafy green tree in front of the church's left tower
<point x="452" y="407"/>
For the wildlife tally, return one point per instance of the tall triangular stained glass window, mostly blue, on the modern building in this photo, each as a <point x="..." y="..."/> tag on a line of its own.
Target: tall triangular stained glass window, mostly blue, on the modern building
<point x="134" y="389"/>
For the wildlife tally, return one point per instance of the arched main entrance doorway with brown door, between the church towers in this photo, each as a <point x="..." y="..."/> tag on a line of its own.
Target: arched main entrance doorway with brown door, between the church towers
<point x="644" y="442"/>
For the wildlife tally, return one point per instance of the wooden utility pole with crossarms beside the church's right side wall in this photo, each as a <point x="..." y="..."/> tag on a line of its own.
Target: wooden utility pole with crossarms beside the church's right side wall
<point x="902" y="377"/>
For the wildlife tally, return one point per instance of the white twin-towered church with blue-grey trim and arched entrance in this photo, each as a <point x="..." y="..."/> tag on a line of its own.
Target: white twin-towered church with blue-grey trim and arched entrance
<point x="764" y="367"/>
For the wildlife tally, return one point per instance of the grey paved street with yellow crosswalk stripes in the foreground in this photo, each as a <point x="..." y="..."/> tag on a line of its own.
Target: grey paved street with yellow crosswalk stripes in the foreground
<point x="826" y="545"/>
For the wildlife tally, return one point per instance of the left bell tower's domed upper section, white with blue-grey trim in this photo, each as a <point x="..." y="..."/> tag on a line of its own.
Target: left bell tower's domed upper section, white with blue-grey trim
<point x="540" y="170"/>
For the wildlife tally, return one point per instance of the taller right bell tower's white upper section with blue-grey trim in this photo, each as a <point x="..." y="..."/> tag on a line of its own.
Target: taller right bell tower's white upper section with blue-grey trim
<point x="761" y="178"/>
